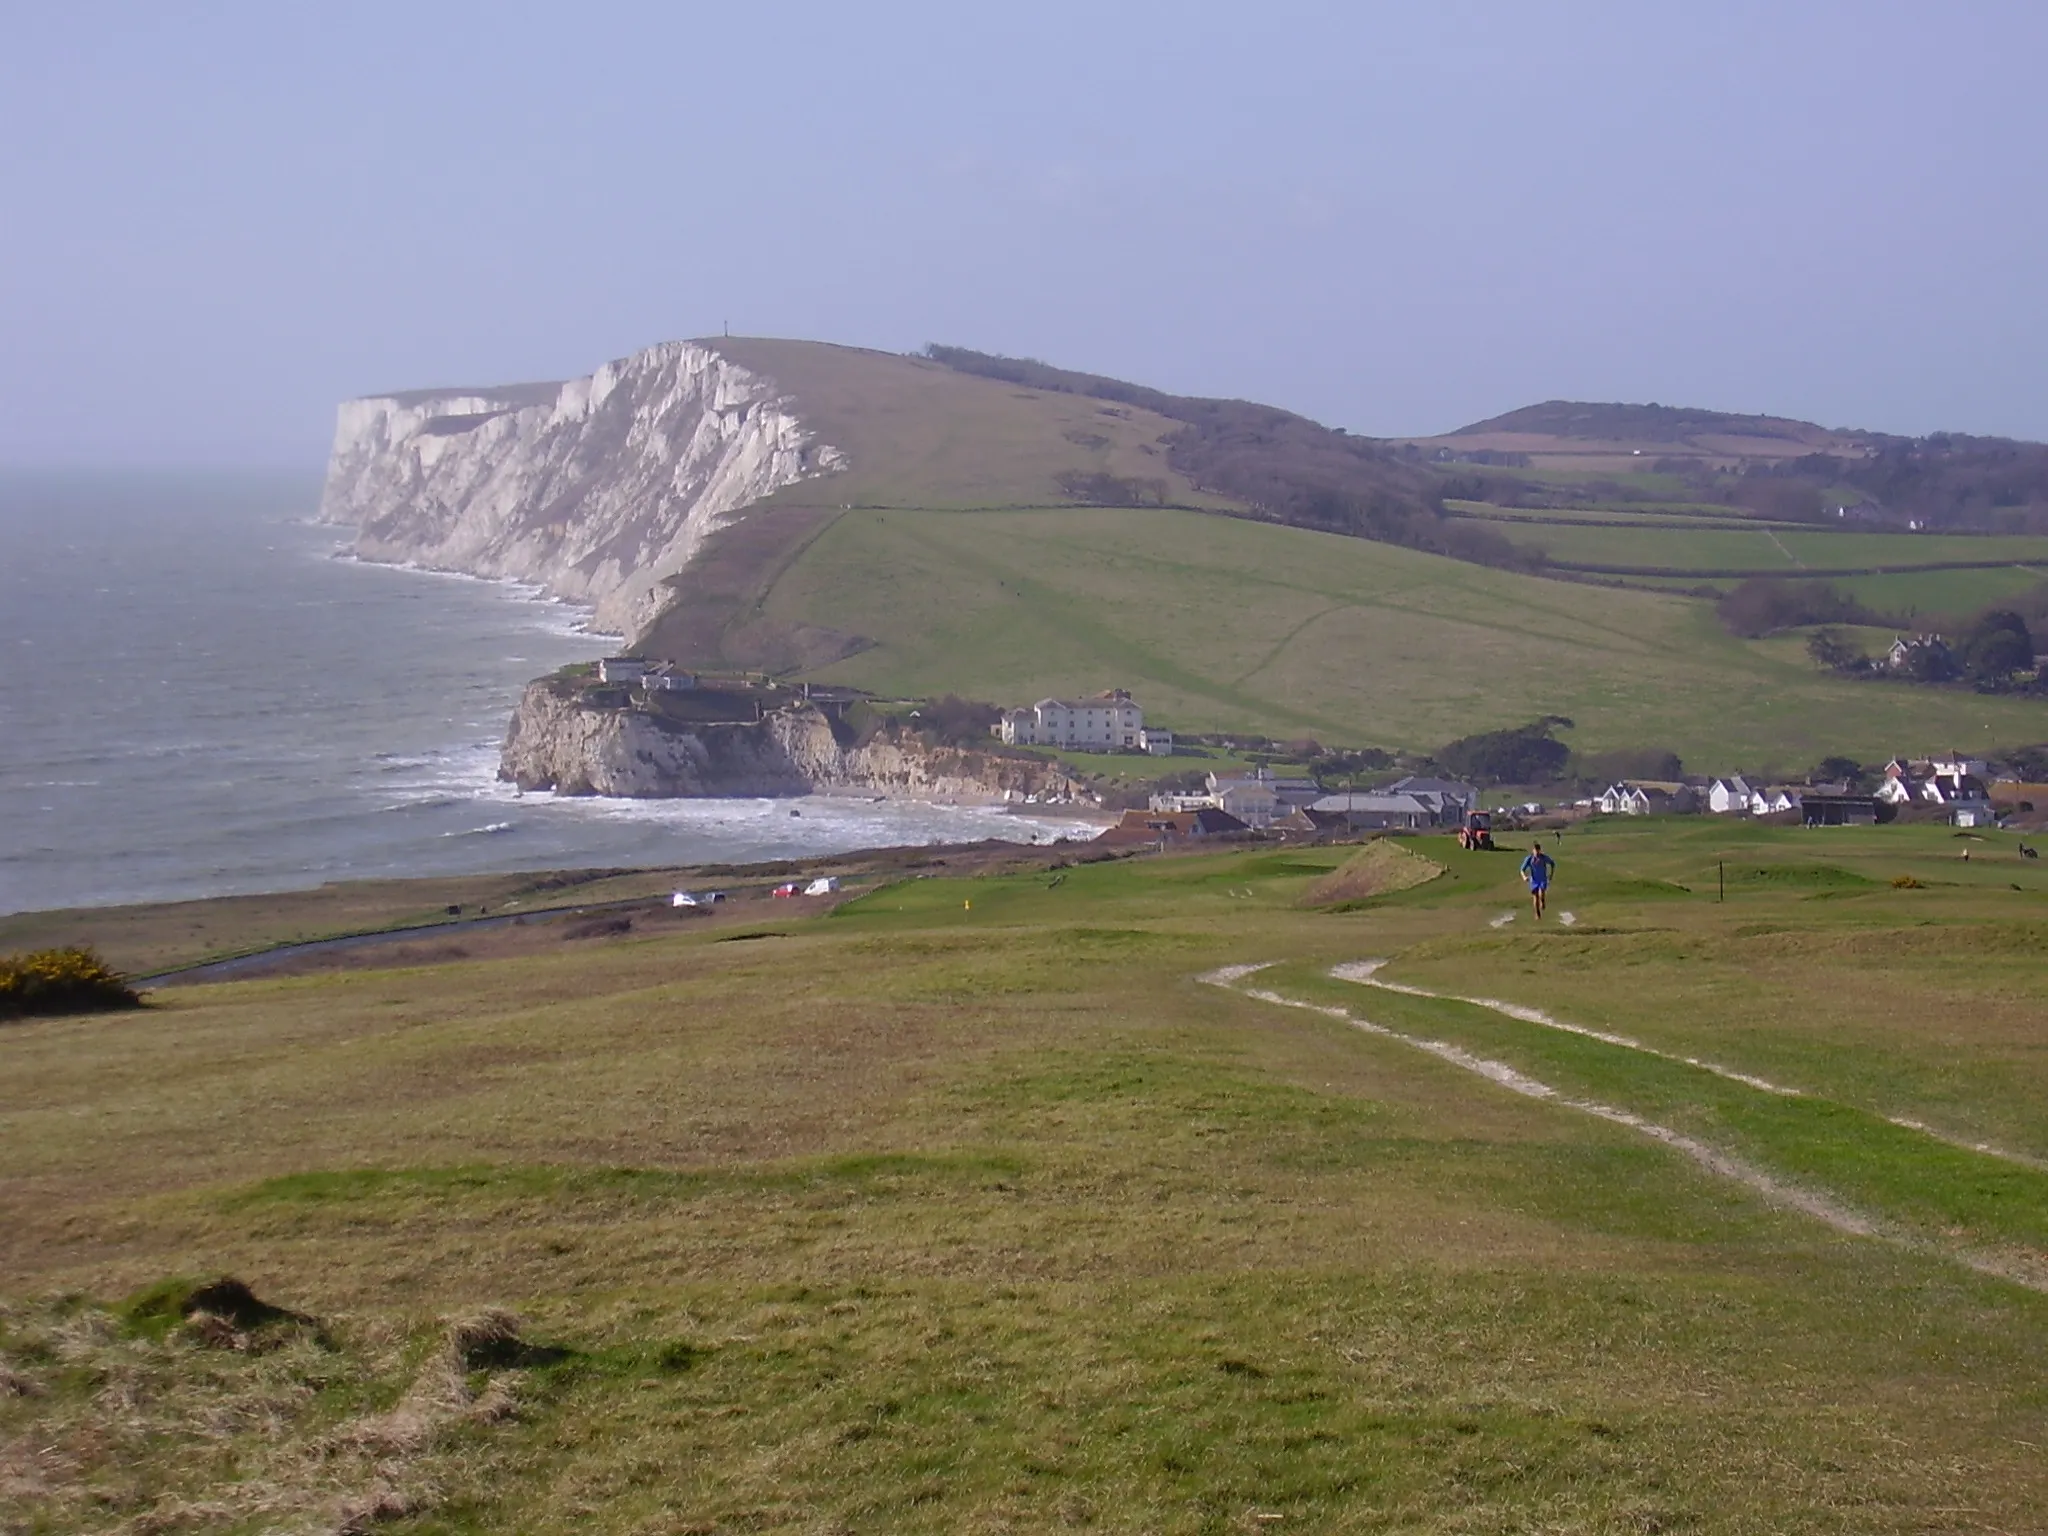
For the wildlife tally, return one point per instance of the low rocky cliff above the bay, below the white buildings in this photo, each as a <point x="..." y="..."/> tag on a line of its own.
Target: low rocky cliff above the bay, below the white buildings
<point x="564" y="744"/>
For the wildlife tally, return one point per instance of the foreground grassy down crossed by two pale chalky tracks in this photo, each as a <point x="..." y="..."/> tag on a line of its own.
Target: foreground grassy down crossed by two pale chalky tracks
<point x="1023" y="1201"/>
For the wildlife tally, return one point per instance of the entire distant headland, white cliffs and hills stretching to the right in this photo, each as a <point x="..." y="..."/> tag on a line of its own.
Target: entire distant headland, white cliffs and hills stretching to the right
<point x="1005" y="529"/>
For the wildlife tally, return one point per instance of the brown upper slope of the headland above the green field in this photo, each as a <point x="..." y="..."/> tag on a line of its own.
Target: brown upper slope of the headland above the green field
<point x="962" y="431"/>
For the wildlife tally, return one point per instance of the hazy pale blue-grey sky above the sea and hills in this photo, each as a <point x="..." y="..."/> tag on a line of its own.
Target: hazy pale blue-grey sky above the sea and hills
<point x="218" y="220"/>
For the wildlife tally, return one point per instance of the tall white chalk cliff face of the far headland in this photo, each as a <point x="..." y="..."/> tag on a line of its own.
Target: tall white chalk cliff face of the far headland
<point x="597" y="488"/>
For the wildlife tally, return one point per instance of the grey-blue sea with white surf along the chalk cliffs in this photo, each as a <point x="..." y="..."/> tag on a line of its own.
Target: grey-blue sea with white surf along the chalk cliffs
<point x="204" y="695"/>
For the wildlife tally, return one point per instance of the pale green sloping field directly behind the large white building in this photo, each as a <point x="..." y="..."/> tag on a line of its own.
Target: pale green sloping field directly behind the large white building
<point x="1222" y="624"/>
